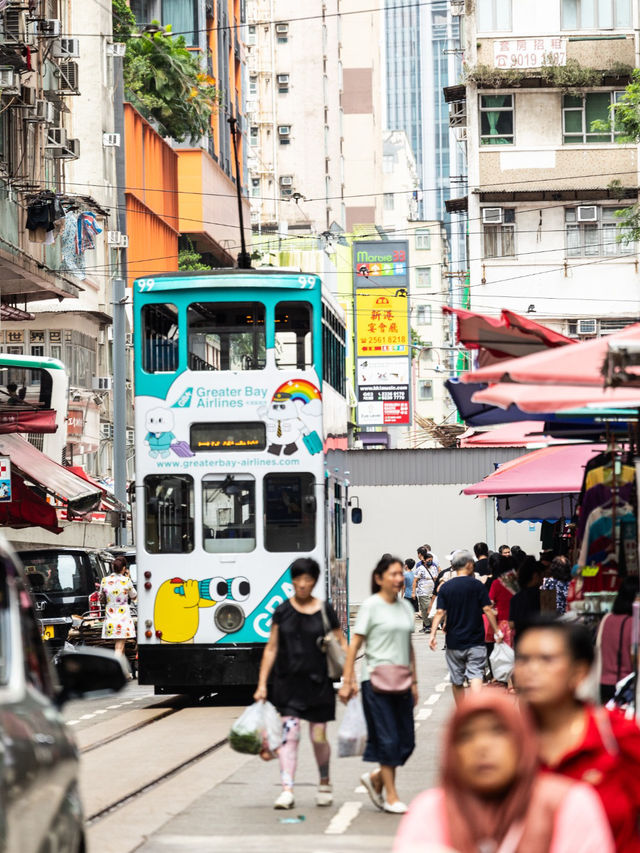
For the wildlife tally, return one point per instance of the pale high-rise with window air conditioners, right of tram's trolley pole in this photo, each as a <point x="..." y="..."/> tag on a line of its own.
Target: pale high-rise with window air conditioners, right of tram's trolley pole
<point x="296" y="157"/>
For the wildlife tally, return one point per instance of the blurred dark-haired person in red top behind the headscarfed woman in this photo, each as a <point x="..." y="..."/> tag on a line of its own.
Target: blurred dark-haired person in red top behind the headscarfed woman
<point x="589" y="744"/>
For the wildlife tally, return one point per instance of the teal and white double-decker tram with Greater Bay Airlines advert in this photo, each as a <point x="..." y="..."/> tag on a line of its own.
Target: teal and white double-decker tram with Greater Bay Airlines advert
<point x="239" y="384"/>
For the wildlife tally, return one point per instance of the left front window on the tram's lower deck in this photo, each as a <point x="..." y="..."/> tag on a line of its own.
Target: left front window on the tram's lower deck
<point x="169" y="514"/>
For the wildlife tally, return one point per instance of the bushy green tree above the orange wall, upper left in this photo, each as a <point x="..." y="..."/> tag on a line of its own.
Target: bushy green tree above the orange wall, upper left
<point x="164" y="81"/>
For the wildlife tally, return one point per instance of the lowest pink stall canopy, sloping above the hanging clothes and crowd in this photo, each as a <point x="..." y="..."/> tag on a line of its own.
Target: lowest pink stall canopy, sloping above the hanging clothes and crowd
<point x="551" y="470"/>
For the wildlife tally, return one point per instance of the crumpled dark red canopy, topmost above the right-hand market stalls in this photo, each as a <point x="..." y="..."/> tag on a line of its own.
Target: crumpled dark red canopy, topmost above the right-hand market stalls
<point x="509" y="336"/>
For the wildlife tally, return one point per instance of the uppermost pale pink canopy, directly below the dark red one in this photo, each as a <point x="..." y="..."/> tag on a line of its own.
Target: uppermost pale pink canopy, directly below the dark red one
<point x="580" y="364"/>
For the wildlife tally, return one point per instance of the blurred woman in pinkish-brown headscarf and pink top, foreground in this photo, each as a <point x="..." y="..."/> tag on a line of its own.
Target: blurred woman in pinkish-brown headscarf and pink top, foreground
<point x="493" y="797"/>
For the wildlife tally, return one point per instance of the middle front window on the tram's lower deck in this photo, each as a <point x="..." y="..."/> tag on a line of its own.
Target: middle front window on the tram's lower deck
<point x="228" y="513"/>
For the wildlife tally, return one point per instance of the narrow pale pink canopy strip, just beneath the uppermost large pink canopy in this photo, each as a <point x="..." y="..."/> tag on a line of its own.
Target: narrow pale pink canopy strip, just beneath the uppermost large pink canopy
<point x="538" y="399"/>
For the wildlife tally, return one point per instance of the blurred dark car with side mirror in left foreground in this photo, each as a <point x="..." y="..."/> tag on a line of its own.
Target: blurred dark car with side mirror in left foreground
<point x="39" y="801"/>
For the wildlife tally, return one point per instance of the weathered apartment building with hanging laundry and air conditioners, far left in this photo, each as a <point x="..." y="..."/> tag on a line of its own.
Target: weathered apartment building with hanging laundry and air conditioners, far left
<point x="59" y="148"/>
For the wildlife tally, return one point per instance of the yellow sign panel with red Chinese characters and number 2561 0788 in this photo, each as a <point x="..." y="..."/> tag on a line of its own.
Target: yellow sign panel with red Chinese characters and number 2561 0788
<point x="382" y="323"/>
